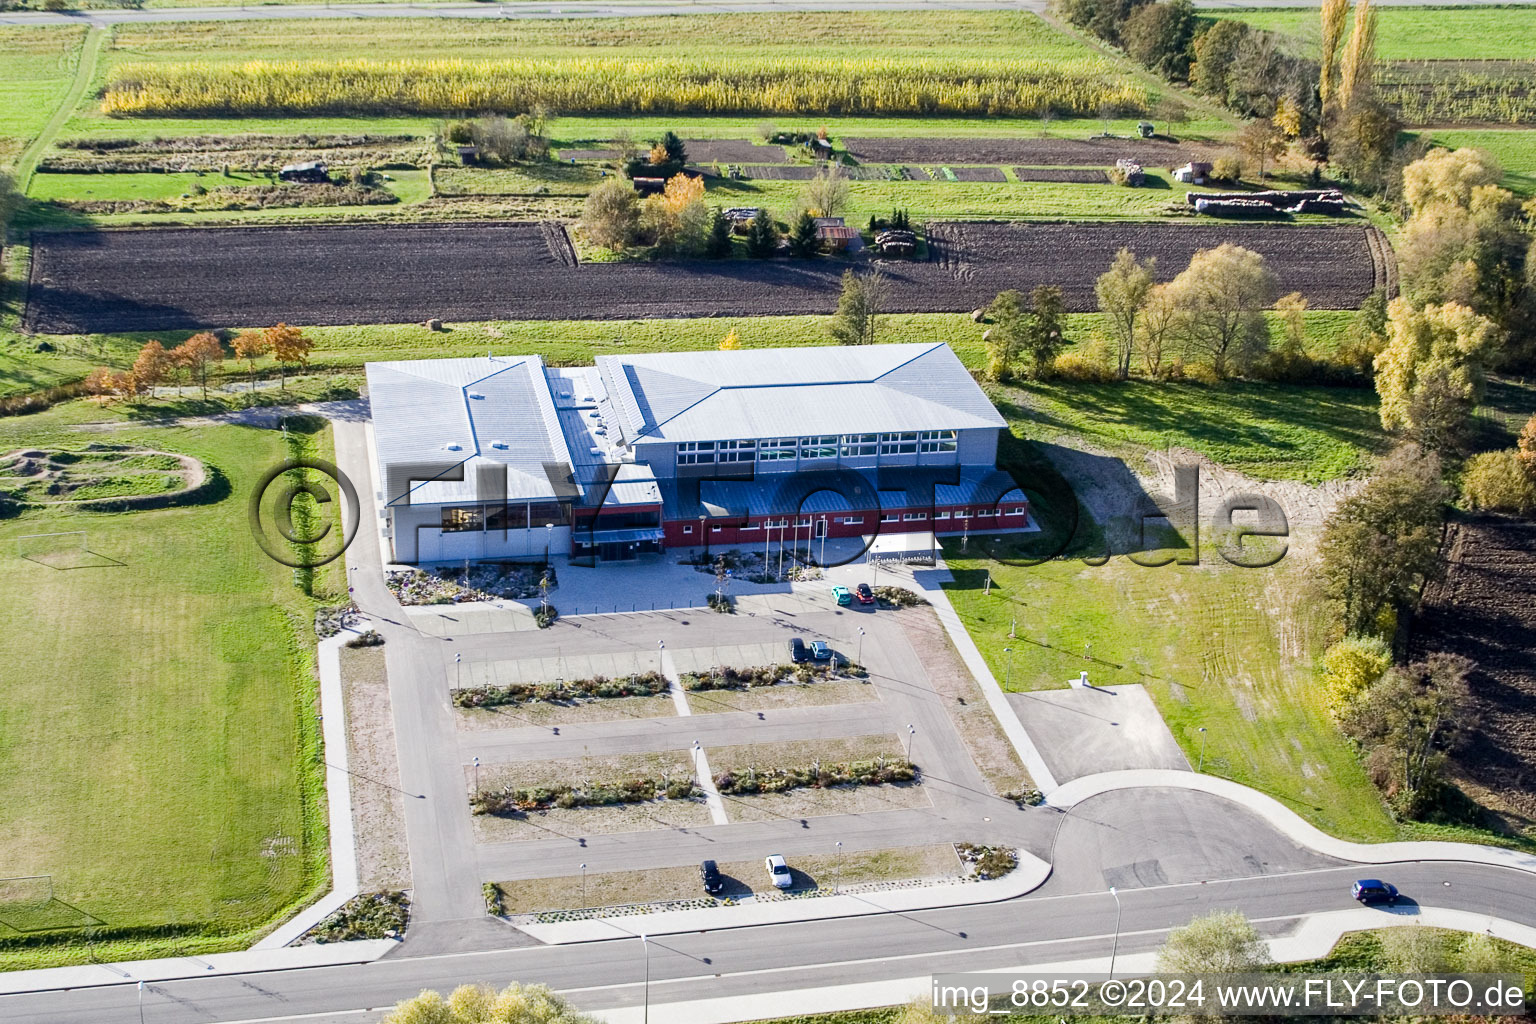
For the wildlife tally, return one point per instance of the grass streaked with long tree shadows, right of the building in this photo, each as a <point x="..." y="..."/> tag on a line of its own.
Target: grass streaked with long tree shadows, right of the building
<point x="1266" y="431"/>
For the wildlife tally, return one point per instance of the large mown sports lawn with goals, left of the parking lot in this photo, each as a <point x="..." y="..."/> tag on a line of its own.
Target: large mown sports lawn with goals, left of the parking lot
<point x="157" y="722"/>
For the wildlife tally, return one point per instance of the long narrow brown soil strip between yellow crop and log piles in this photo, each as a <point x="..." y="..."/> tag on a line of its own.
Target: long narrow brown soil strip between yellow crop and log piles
<point x="1048" y="153"/>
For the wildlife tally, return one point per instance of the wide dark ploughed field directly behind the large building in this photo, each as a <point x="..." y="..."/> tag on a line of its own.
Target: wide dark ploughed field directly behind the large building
<point x="184" y="279"/>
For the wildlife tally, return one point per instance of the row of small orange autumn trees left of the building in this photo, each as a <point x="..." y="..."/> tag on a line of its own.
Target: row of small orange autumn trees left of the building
<point x="199" y="358"/>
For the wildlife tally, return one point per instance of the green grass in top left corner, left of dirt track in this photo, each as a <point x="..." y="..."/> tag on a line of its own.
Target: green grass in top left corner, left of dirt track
<point x="39" y="65"/>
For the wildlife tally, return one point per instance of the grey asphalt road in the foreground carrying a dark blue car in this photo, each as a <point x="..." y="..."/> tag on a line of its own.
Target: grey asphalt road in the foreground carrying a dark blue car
<point x="772" y="959"/>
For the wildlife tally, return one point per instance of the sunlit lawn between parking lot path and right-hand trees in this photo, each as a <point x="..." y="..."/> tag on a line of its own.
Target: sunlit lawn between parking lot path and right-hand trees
<point x="1219" y="647"/>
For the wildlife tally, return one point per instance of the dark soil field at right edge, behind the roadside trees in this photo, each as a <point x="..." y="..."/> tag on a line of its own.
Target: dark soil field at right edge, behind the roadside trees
<point x="1485" y="610"/>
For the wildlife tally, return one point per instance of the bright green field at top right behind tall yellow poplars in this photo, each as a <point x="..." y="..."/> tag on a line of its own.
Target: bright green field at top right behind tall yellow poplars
<point x="1418" y="33"/>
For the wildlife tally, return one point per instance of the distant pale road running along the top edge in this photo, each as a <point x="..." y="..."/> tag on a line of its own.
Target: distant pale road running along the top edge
<point x="589" y="10"/>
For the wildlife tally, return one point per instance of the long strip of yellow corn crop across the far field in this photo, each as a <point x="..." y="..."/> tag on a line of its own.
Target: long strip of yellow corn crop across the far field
<point x="970" y="87"/>
